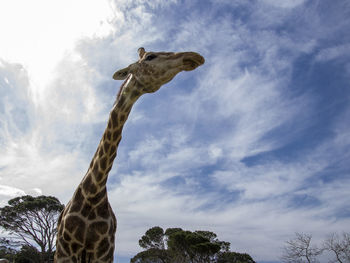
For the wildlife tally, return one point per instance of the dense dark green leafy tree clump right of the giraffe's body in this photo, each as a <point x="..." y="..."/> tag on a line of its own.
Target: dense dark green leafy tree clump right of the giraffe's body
<point x="176" y="245"/>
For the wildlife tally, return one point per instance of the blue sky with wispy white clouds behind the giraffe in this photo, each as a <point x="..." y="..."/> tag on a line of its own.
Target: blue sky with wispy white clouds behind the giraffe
<point x="253" y="145"/>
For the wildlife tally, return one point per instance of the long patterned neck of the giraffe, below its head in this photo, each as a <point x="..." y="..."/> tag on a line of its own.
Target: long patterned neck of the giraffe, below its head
<point x="93" y="185"/>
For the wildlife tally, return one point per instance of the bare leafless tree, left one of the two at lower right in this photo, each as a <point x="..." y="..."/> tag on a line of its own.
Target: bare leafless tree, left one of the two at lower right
<point x="299" y="250"/>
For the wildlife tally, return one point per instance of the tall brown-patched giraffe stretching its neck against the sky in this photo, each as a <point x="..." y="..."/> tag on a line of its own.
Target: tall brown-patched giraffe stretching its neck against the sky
<point x="87" y="225"/>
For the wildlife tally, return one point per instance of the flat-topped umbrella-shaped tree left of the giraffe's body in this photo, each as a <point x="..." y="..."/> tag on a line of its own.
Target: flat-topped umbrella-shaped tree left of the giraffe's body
<point x="32" y="220"/>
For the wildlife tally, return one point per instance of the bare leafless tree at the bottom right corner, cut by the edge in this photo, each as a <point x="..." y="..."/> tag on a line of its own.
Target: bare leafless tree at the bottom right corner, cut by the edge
<point x="339" y="246"/>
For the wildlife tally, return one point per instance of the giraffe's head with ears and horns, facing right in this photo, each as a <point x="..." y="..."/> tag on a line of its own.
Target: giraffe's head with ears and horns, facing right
<point x="153" y="69"/>
